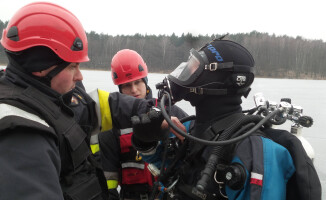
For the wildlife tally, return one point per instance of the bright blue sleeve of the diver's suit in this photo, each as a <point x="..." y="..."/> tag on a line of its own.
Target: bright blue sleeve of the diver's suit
<point x="278" y="168"/>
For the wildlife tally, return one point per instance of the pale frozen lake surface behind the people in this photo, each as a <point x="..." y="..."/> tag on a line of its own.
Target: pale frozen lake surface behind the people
<point x="310" y="94"/>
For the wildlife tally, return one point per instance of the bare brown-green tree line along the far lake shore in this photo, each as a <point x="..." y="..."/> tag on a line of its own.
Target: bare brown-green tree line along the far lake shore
<point x="275" y="56"/>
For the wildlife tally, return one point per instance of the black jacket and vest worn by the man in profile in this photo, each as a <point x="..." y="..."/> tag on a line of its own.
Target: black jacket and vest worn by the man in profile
<point x="42" y="146"/>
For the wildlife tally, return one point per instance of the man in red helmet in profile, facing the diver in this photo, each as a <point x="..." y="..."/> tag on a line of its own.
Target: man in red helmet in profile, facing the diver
<point x="45" y="153"/>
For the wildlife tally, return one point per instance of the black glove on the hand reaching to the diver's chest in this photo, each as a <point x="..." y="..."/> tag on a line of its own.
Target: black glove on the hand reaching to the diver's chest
<point x="147" y="127"/>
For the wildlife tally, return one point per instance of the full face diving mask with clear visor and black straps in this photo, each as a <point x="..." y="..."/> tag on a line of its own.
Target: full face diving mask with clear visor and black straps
<point x="181" y="80"/>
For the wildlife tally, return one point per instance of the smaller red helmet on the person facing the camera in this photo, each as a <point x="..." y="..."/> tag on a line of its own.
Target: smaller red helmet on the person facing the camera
<point x="126" y="66"/>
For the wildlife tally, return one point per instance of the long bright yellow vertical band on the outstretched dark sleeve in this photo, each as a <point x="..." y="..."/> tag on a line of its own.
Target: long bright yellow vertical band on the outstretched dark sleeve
<point x="105" y="110"/>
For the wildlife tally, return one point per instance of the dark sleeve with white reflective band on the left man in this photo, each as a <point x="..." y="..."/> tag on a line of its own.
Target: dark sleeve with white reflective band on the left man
<point x="30" y="160"/>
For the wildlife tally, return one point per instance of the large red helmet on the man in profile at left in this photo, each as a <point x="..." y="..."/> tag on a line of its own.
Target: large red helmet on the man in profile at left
<point x="50" y="25"/>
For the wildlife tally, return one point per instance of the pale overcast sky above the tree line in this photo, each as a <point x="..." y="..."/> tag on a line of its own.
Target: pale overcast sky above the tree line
<point x="282" y="17"/>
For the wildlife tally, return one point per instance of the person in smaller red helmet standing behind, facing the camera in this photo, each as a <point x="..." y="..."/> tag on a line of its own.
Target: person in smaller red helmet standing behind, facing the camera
<point x="121" y="162"/>
